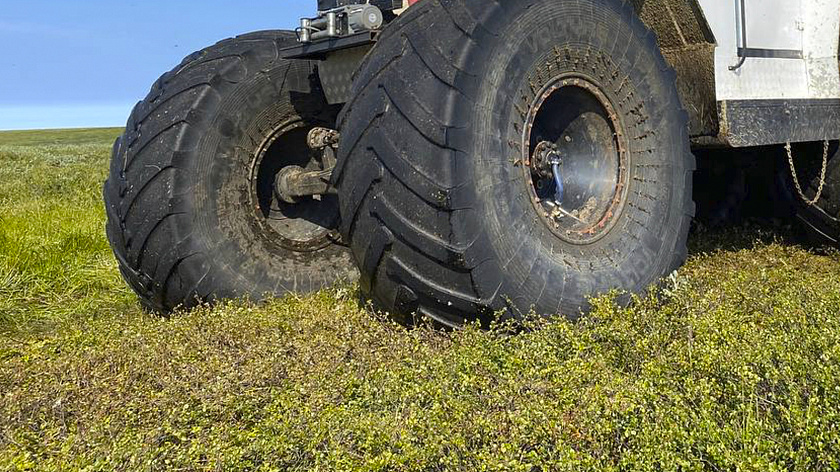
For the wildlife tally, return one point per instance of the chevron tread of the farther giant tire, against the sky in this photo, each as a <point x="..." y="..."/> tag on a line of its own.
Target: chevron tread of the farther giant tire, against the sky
<point x="146" y="211"/>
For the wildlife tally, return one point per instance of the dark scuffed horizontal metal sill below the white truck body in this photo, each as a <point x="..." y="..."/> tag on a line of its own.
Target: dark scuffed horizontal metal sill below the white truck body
<point x="762" y="122"/>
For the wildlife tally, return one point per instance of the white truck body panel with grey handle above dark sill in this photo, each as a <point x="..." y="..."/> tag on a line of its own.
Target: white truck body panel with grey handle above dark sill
<point x="799" y="39"/>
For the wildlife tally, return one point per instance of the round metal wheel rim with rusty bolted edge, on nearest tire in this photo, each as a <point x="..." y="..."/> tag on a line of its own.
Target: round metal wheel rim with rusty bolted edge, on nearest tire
<point x="573" y="124"/>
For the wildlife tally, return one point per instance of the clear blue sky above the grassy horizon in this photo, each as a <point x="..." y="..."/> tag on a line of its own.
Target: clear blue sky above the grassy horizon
<point x="68" y="63"/>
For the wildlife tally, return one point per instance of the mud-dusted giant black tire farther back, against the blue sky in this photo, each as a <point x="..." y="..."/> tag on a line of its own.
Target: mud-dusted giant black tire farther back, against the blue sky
<point x="192" y="216"/>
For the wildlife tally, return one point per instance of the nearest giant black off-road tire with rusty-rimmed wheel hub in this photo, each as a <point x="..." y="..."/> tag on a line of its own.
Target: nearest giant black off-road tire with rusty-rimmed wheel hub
<point x="444" y="200"/>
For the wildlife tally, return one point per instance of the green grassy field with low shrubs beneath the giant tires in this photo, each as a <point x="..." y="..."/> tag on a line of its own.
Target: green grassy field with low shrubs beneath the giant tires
<point x="735" y="367"/>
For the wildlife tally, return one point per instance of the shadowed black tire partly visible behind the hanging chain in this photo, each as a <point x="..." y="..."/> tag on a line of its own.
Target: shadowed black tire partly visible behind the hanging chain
<point x="820" y="218"/>
